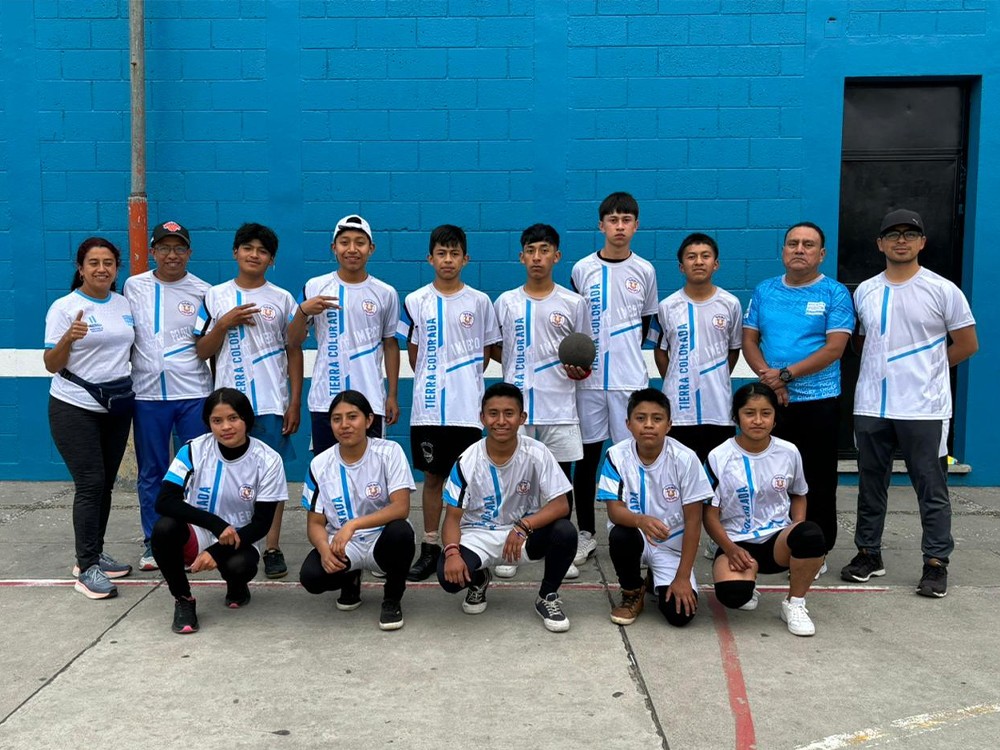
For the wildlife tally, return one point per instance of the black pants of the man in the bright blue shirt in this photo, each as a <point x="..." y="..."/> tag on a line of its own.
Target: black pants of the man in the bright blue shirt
<point x="812" y="426"/>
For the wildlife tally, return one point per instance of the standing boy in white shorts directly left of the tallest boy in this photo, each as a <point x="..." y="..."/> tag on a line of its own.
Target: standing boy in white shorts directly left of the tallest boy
<point x="534" y="319"/>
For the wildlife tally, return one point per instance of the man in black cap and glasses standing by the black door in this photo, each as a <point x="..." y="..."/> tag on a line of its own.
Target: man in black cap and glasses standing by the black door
<point x="906" y="315"/>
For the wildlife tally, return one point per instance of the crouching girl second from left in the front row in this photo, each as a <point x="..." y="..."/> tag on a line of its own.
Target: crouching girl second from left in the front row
<point x="358" y="497"/>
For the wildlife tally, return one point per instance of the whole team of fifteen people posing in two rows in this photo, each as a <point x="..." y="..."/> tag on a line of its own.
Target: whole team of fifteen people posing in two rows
<point x="222" y="368"/>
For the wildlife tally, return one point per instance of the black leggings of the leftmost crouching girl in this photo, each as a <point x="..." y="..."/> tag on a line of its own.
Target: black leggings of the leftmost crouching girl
<point x="236" y="566"/>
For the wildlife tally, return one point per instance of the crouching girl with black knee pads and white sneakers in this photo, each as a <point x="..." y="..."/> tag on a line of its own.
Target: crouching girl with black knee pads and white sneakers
<point x="757" y="515"/>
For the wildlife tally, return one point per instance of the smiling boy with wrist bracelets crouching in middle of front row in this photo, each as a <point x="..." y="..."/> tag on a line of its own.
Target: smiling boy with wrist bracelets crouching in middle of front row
<point x="506" y="502"/>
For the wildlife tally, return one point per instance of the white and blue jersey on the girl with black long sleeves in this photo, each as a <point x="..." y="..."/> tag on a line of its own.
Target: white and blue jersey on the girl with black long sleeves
<point x="226" y="488"/>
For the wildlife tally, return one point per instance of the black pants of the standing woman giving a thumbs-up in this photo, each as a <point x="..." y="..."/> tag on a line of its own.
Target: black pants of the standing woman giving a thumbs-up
<point x="92" y="445"/>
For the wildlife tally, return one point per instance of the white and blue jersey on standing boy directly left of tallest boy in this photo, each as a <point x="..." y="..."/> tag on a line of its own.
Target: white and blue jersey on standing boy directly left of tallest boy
<point x="532" y="330"/>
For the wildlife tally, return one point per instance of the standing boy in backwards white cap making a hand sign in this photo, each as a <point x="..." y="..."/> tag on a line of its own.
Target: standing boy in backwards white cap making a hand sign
<point x="355" y="317"/>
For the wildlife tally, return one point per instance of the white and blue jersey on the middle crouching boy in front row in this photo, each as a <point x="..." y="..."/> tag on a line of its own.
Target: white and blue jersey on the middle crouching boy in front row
<point x="494" y="497"/>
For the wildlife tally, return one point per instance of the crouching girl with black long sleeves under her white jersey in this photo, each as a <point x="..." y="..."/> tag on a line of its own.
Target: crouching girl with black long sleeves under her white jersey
<point x="216" y="504"/>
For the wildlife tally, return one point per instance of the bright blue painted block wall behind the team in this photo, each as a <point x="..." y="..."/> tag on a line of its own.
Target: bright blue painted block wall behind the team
<point x="719" y="115"/>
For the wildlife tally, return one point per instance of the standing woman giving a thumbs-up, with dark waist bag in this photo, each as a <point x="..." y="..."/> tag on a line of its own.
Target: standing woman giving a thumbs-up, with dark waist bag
<point x="88" y="339"/>
